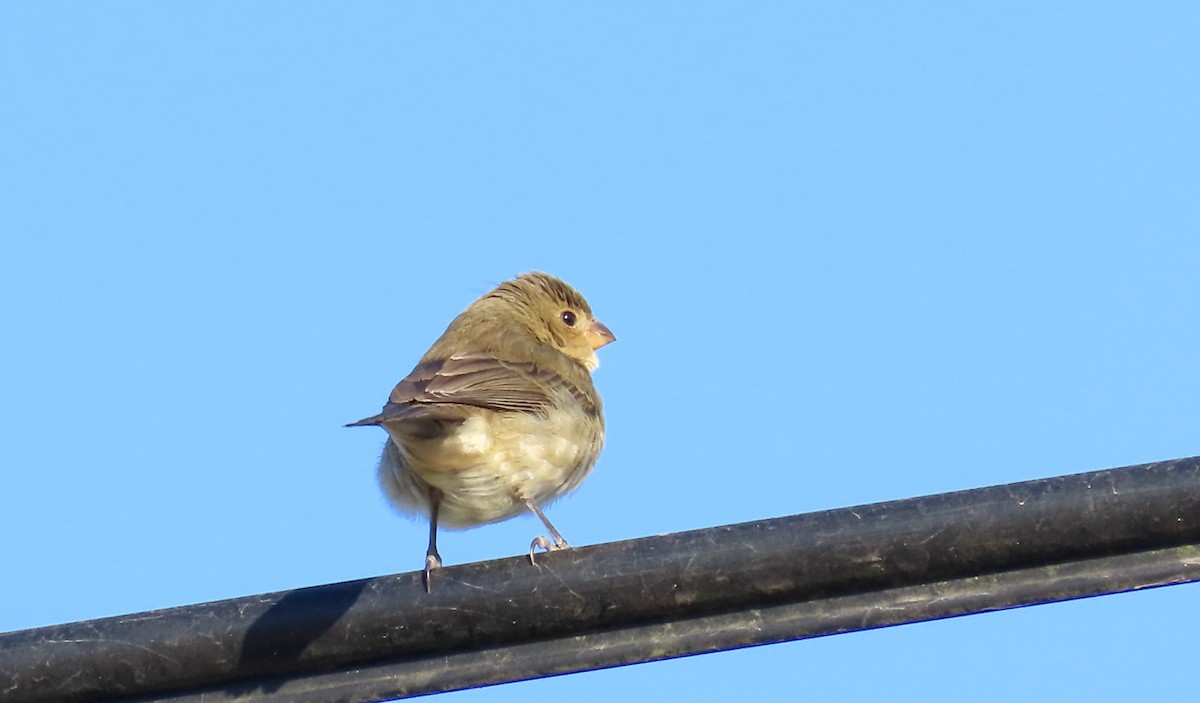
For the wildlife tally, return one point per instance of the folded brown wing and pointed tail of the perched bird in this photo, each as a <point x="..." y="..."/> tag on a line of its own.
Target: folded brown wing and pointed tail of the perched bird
<point x="441" y="389"/>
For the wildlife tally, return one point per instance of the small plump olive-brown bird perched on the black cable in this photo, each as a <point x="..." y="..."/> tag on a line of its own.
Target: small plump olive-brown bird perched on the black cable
<point x="501" y="416"/>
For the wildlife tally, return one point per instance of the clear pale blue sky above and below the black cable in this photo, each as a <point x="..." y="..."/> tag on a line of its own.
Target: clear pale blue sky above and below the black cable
<point x="851" y="254"/>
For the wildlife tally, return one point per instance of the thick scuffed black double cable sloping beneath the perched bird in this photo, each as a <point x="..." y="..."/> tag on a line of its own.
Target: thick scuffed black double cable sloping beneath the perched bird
<point x="640" y="600"/>
